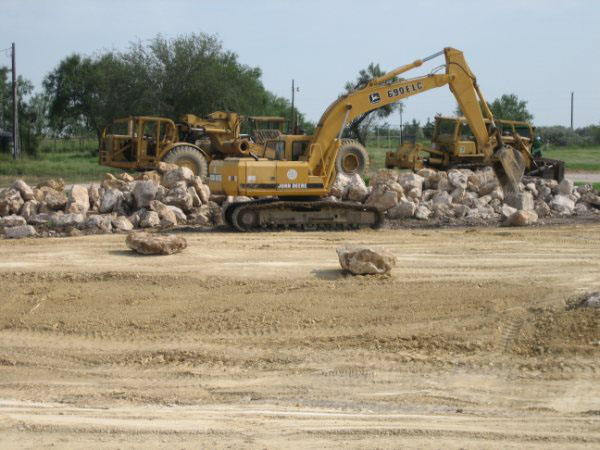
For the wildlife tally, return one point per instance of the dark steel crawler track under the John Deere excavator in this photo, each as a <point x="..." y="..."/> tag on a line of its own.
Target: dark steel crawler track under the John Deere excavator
<point x="273" y="214"/>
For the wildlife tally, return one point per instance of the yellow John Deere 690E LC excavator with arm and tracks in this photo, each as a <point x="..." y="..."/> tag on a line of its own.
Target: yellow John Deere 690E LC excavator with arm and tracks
<point x="290" y="192"/>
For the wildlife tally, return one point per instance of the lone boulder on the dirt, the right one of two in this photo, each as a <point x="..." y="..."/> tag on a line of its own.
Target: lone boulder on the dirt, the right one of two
<point x="366" y="260"/>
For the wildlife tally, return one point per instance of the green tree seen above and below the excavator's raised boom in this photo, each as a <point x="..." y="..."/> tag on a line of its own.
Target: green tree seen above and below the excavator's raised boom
<point x="360" y="127"/>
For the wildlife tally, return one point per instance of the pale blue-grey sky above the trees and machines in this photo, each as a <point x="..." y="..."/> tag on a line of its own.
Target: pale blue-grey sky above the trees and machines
<point x="540" y="50"/>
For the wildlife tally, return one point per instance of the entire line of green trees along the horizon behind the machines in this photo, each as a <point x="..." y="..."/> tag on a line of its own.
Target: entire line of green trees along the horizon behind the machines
<point x="192" y="73"/>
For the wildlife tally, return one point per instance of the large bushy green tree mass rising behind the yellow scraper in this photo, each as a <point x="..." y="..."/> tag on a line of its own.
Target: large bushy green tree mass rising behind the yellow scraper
<point x="164" y="77"/>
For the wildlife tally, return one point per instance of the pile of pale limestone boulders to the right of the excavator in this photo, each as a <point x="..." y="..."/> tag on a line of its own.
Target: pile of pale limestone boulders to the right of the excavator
<point x="463" y="196"/>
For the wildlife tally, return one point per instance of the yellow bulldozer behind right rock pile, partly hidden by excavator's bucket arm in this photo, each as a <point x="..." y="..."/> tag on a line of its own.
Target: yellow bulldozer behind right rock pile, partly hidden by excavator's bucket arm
<point x="453" y="145"/>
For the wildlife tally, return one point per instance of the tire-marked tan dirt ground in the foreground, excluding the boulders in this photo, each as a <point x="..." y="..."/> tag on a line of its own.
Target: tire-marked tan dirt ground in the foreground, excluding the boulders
<point x="259" y="341"/>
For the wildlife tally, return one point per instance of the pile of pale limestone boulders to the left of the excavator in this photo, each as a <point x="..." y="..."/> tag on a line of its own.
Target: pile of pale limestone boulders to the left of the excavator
<point x="163" y="198"/>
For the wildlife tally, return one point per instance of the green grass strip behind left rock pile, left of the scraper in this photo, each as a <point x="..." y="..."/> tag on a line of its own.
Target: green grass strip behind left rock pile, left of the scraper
<point x="73" y="167"/>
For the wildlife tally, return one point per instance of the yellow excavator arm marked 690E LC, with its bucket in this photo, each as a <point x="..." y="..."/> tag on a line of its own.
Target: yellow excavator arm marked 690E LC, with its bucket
<point x="386" y="90"/>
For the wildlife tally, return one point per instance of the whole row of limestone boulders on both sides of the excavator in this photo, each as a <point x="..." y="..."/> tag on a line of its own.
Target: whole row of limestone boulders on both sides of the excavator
<point x="172" y="196"/>
